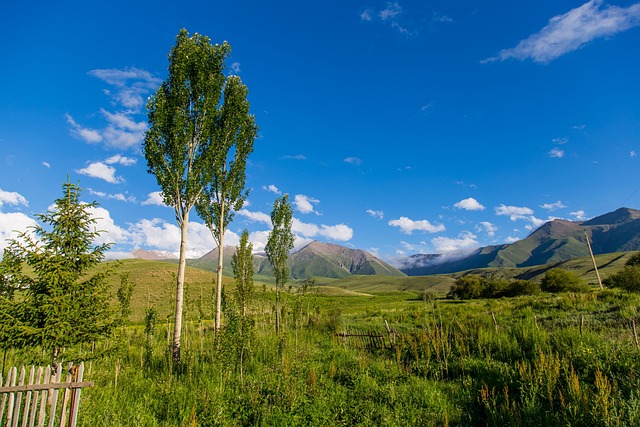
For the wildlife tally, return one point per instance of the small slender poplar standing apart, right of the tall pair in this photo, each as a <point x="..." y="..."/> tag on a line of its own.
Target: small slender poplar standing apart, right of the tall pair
<point x="279" y="244"/>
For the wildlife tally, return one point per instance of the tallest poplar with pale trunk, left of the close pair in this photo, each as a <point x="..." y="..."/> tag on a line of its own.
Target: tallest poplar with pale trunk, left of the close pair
<point x="182" y="113"/>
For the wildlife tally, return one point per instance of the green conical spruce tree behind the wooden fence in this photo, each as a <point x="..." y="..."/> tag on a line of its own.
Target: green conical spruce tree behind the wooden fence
<point x="63" y="304"/>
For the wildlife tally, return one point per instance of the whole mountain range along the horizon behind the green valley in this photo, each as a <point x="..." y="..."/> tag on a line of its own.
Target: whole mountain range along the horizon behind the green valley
<point x="555" y="241"/>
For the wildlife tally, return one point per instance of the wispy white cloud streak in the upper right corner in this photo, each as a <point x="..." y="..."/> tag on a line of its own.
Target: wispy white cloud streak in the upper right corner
<point x="572" y="30"/>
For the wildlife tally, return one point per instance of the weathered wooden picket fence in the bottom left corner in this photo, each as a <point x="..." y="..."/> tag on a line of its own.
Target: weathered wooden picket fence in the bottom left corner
<point x="31" y="395"/>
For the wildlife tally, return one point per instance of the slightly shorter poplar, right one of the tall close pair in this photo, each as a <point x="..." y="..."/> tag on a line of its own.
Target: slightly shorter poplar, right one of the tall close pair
<point x="232" y="137"/>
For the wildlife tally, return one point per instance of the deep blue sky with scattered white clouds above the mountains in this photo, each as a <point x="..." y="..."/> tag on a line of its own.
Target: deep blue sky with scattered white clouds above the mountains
<point x="395" y="127"/>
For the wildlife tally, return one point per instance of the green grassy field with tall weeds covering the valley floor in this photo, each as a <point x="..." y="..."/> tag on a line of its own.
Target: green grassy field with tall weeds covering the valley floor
<point x="548" y="359"/>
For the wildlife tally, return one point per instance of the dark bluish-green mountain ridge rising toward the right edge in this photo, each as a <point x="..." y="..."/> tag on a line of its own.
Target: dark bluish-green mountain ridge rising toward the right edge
<point x="555" y="241"/>
